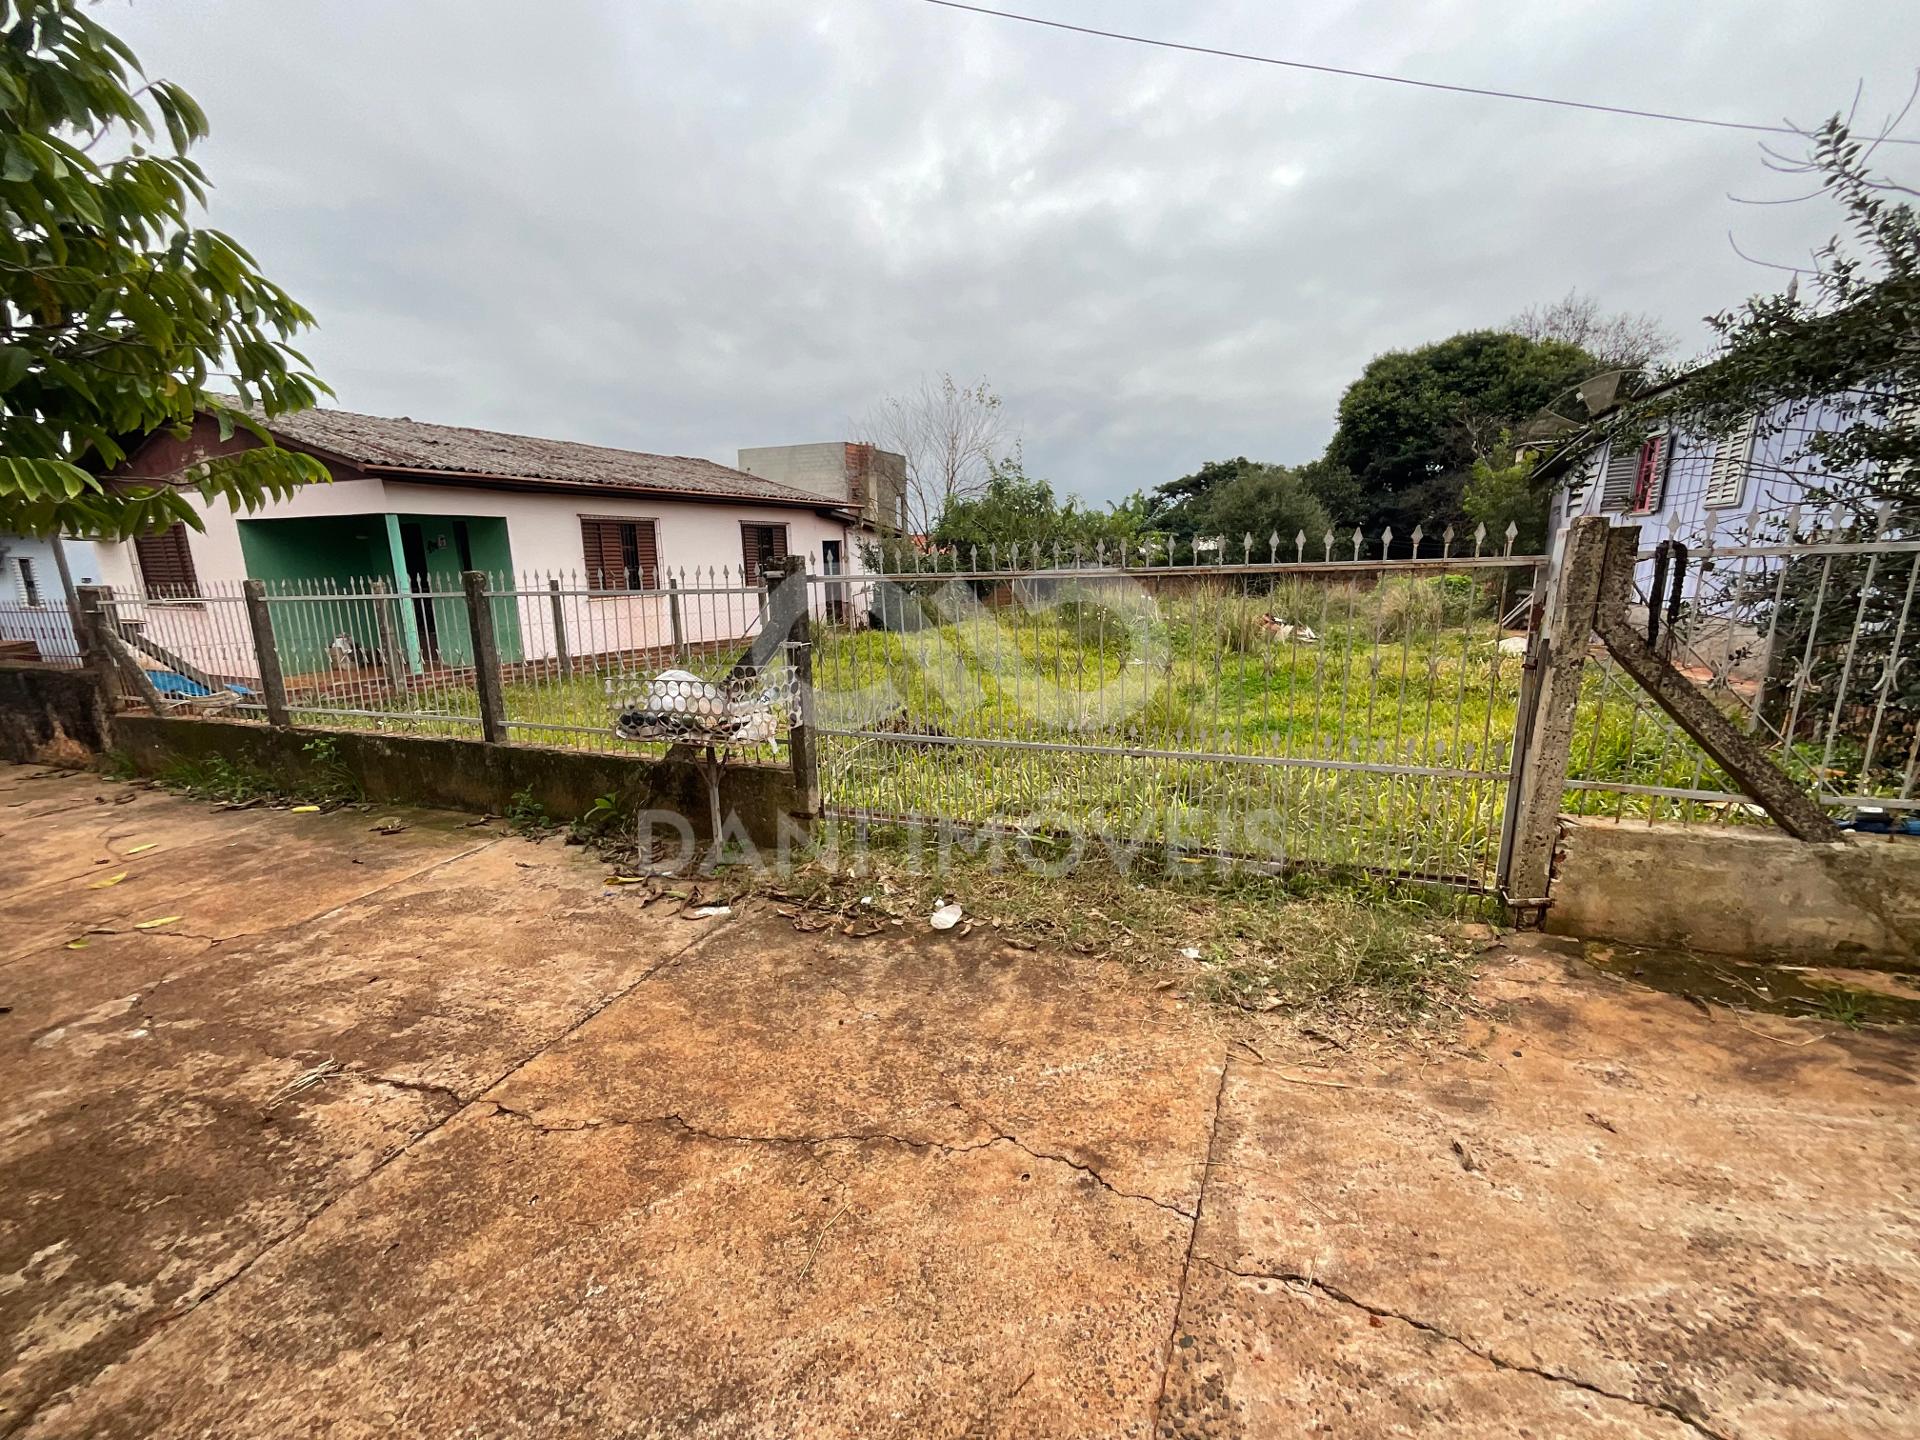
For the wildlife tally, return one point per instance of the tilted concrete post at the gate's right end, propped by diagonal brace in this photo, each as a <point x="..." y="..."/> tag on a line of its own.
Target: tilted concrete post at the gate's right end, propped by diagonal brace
<point x="1562" y="660"/>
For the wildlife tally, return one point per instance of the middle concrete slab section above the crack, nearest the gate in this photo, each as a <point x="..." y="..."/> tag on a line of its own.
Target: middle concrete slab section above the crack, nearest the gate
<point x="940" y="1040"/>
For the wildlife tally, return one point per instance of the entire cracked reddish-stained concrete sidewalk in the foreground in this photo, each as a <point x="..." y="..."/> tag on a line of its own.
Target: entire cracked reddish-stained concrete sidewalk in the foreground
<point x="435" y="1134"/>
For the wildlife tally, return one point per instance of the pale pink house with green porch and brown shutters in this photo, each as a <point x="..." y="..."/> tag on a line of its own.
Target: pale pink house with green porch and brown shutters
<point x="644" y="548"/>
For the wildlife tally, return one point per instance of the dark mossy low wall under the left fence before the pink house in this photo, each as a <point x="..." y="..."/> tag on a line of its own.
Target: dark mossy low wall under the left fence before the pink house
<point x="468" y="775"/>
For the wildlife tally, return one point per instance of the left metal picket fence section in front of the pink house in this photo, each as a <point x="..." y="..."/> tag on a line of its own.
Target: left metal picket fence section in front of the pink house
<point x="533" y="658"/>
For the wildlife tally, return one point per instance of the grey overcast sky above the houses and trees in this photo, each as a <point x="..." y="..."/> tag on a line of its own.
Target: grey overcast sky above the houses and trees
<point x="692" y="226"/>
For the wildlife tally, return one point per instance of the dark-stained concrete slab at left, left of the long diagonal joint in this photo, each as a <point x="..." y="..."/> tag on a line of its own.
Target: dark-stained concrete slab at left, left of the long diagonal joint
<point x="153" y="1147"/>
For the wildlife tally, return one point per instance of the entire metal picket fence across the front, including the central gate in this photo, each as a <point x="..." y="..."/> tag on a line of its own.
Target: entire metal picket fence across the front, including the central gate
<point x="1341" y="702"/>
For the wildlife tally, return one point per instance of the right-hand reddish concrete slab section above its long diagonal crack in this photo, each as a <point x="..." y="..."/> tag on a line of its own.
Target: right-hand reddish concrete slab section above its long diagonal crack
<point x="1614" y="1189"/>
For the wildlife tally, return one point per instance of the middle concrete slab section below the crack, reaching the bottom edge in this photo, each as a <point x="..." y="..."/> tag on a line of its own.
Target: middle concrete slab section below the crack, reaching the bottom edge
<point x="619" y="1303"/>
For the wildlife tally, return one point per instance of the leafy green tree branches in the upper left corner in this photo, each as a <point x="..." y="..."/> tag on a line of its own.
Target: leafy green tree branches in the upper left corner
<point x="116" y="312"/>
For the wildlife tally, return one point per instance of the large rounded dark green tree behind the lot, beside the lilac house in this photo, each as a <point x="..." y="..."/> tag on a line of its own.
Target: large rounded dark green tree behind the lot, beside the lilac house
<point x="1418" y="420"/>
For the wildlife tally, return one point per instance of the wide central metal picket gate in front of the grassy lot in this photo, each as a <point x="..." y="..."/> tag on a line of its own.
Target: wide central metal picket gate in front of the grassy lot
<point x="1333" y="702"/>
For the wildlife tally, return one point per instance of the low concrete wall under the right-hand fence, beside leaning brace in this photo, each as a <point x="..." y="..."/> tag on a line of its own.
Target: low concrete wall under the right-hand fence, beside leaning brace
<point x="1752" y="894"/>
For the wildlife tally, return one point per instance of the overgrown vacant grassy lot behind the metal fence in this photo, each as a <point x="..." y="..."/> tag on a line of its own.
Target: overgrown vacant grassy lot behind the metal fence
<point x="1322" y="721"/>
